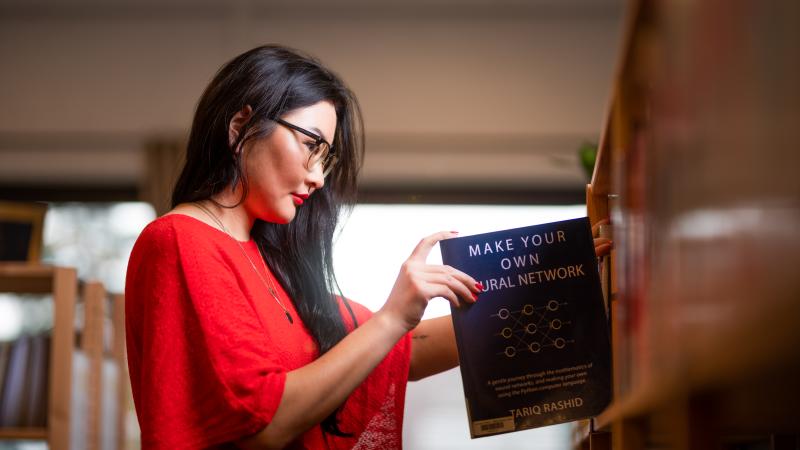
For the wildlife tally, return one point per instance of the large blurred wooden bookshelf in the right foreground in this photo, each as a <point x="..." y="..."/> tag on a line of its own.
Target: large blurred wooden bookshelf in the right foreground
<point x="697" y="171"/>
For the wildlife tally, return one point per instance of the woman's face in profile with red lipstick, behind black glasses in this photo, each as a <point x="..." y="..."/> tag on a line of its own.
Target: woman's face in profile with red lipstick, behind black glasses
<point x="278" y="178"/>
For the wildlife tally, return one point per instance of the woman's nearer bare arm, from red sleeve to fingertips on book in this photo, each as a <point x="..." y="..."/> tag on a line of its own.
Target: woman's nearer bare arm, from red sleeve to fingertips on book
<point x="314" y="391"/>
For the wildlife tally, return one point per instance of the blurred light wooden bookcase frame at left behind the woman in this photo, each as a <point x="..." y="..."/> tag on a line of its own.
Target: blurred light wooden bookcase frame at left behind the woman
<point x="87" y="402"/>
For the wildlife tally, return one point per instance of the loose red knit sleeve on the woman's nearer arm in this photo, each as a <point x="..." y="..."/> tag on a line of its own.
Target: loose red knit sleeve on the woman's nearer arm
<point x="201" y="371"/>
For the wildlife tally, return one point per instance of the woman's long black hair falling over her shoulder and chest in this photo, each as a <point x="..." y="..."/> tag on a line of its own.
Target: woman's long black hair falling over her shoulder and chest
<point x="274" y="80"/>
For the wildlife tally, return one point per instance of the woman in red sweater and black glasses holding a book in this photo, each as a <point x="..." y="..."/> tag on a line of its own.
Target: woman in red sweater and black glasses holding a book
<point x="234" y="334"/>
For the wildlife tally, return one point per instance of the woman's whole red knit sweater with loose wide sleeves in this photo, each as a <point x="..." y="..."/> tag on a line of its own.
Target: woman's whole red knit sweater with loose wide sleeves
<point x="209" y="348"/>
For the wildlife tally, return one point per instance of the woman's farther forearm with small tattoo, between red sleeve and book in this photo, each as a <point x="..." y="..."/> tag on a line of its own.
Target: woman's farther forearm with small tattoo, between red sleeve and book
<point x="433" y="348"/>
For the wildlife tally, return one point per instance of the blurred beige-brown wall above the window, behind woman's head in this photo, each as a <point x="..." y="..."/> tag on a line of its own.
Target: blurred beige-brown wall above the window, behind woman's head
<point x="473" y="94"/>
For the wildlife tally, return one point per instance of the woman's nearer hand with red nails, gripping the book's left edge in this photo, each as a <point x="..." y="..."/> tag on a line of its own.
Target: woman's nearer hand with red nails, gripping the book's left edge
<point x="418" y="282"/>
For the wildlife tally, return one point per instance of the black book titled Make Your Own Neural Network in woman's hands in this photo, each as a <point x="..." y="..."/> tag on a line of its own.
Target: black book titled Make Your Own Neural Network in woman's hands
<point x="534" y="349"/>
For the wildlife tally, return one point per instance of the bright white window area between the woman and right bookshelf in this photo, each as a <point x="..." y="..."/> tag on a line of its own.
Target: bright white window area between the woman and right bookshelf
<point x="373" y="243"/>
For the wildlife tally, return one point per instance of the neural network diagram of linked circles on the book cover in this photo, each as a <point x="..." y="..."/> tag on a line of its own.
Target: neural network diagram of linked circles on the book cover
<point x="532" y="328"/>
